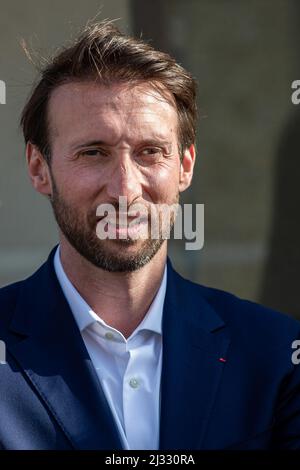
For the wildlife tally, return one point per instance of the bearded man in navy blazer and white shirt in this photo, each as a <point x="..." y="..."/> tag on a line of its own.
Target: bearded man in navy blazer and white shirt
<point x="107" y="347"/>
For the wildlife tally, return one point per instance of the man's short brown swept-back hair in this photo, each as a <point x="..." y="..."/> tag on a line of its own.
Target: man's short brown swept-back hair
<point x="103" y="53"/>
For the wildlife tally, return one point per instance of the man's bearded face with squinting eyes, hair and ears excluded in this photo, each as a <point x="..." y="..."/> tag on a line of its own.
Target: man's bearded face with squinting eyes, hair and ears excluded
<point x="108" y="142"/>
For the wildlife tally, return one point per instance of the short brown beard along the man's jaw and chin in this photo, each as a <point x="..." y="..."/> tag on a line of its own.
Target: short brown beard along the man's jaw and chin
<point x="111" y="255"/>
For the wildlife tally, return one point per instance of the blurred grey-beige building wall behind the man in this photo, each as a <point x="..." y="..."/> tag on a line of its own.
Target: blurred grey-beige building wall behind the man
<point x="244" y="55"/>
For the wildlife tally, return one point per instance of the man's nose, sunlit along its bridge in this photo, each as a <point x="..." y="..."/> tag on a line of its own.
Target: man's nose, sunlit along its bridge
<point x="124" y="181"/>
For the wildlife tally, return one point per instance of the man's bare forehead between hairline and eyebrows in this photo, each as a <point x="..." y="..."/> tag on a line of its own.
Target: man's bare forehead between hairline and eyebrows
<point x="83" y="107"/>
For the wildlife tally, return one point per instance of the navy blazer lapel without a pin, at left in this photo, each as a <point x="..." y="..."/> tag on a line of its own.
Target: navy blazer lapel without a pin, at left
<point x="53" y="356"/>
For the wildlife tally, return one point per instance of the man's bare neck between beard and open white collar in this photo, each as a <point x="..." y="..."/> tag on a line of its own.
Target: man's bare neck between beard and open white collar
<point x="120" y="299"/>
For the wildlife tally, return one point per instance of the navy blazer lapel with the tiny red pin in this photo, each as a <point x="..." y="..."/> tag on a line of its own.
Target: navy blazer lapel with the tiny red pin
<point x="195" y="342"/>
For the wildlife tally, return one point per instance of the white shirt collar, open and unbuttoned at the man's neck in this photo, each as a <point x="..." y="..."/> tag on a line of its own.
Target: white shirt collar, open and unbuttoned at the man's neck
<point x="85" y="316"/>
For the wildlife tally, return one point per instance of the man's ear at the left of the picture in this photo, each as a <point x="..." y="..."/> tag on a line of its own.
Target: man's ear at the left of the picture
<point x="38" y="170"/>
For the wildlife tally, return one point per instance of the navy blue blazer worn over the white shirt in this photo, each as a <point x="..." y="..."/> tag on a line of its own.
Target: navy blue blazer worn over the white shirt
<point x="228" y="381"/>
